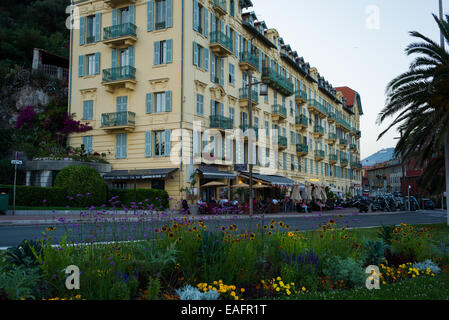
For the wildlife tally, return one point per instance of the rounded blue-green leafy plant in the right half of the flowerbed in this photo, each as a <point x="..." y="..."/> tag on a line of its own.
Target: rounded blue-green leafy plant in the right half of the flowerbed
<point x="346" y="269"/>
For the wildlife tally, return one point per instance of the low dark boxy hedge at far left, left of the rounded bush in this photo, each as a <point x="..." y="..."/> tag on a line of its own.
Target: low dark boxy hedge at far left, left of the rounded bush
<point x="37" y="196"/>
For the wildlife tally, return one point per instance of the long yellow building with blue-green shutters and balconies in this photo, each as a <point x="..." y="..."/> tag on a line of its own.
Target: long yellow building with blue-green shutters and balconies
<point x="155" y="77"/>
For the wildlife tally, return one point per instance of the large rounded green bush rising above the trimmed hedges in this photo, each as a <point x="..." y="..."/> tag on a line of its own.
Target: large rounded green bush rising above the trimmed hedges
<point x="84" y="184"/>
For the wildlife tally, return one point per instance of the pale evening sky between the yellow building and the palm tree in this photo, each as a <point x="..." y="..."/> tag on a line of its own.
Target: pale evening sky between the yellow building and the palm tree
<point x="355" y="43"/>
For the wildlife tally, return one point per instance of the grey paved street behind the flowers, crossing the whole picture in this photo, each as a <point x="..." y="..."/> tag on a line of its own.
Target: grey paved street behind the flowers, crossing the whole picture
<point x="12" y="235"/>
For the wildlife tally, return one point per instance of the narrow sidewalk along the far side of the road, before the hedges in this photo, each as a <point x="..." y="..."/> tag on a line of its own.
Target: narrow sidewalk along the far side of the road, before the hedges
<point x="39" y="217"/>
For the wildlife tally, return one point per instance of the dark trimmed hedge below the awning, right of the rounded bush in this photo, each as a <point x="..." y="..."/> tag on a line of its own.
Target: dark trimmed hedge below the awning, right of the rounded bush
<point x="157" y="198"/>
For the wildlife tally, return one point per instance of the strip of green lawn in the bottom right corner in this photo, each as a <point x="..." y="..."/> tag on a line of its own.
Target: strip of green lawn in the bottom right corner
<point x="423" y="288"/>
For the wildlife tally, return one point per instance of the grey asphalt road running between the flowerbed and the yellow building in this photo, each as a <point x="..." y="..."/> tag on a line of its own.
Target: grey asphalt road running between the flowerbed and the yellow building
<point x="14" y="235"/>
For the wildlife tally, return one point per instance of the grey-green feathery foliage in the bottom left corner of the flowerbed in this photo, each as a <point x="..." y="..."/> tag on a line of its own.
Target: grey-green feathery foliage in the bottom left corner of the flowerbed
<point x="19" y="282"/>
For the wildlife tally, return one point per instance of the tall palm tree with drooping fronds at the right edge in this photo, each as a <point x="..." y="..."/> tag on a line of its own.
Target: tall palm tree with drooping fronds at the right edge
<point x="419" y="101"/>
